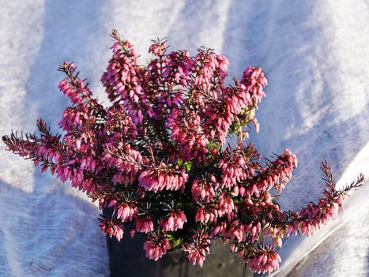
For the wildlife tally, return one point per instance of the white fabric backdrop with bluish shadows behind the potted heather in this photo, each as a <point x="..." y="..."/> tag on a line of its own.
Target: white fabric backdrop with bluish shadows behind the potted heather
<point x="315" y="55"/>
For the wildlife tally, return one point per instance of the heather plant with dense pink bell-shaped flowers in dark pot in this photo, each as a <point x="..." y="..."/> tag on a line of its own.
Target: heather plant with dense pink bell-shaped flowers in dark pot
<point x="156" y="160"/>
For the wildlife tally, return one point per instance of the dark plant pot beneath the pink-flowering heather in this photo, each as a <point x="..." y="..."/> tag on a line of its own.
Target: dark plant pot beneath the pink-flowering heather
<point x="127" y="258"/>
